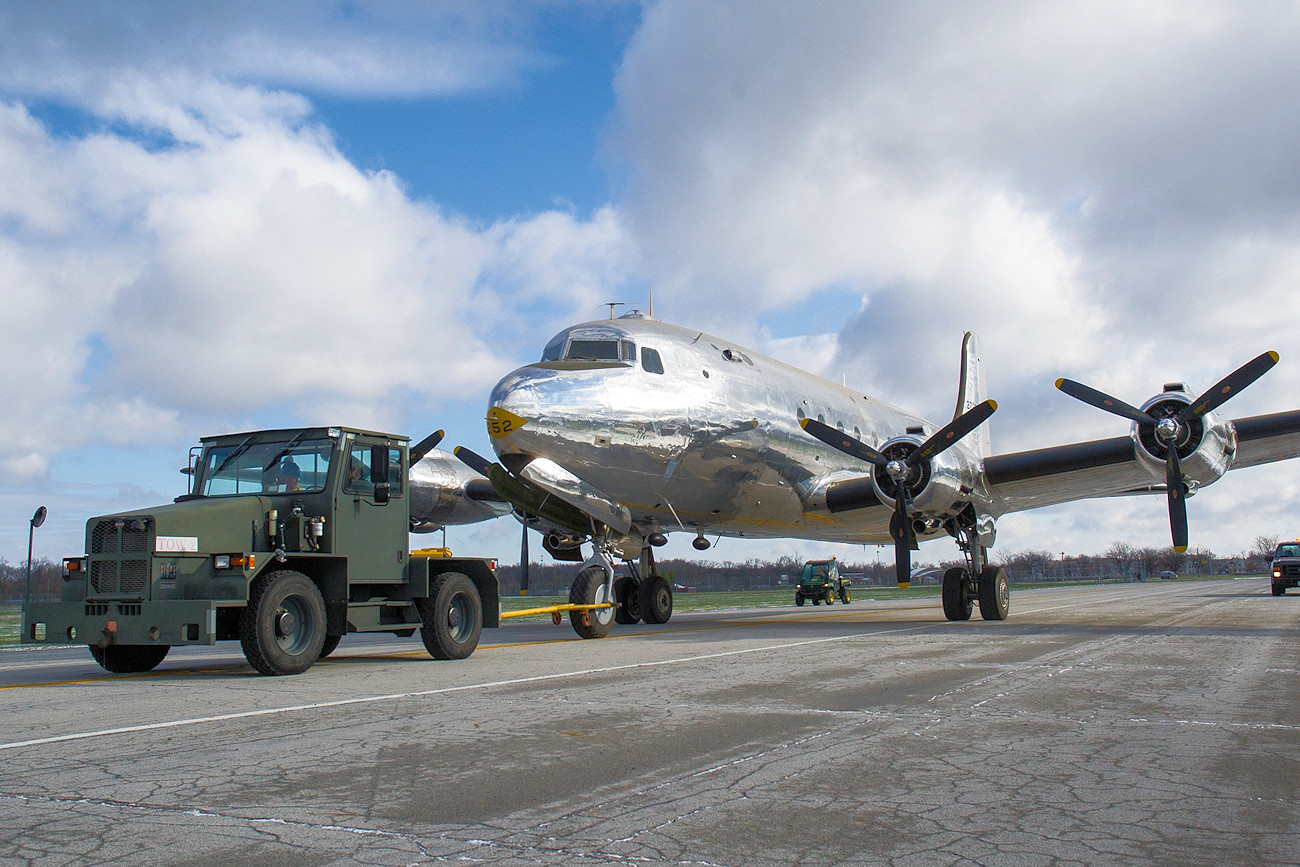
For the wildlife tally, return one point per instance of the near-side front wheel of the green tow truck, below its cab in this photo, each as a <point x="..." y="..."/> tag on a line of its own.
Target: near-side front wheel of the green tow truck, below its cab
<point x="283" y="630"/>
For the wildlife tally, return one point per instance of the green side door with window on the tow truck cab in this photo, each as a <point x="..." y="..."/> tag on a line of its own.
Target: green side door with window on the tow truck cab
<point x="371" y="519"/>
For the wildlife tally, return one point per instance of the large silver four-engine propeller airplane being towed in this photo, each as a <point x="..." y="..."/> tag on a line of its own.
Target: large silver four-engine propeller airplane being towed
<point x="630" y="428"/>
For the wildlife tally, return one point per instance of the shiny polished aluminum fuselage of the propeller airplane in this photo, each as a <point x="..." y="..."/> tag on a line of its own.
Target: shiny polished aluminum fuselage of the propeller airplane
<point x="713" y="444"/>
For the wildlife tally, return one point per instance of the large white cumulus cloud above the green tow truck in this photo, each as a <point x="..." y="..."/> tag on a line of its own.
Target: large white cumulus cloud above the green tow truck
<point x="246" y="266"/>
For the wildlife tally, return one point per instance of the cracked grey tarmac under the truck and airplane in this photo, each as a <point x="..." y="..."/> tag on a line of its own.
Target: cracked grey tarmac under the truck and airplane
<point x="1150" y="723"/>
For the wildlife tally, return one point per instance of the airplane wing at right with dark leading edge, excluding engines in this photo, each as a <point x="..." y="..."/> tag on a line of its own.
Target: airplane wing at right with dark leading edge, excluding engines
<point x="1111" y="467"/>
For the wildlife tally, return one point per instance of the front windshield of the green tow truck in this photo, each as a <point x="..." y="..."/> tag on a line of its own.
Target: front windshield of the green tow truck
<point x="292" y="465"/>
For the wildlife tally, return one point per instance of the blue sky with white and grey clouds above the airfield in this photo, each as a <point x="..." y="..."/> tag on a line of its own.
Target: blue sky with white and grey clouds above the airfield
<point x="198" y="203"/>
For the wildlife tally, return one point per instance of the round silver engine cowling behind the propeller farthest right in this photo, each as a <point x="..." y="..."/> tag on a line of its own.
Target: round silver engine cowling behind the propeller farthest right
<point x="1206" y="448"/>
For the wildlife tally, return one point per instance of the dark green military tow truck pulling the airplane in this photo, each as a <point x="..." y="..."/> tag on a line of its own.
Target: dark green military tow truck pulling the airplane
<point x="287" y="541"/>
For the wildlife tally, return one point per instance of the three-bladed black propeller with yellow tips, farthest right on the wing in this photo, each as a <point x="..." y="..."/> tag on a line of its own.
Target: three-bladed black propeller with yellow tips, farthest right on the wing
<point x="1172" y="430"/>
